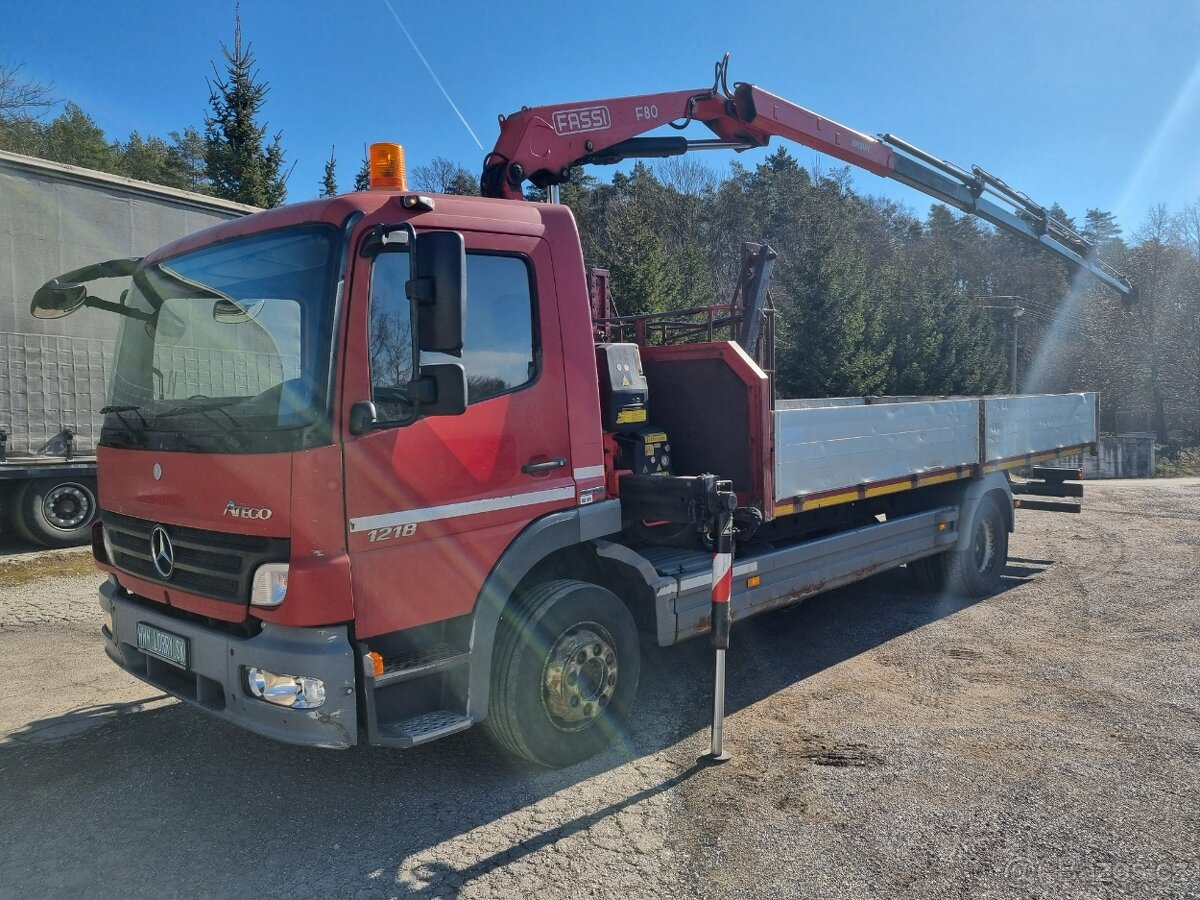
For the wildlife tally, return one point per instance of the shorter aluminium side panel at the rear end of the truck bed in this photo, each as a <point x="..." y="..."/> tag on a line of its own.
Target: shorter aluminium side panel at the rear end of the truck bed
<point x="1018" y="427"/>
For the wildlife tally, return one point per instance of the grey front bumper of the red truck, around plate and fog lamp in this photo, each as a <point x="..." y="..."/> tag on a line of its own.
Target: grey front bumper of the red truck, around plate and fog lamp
<point x="215" y="679"/>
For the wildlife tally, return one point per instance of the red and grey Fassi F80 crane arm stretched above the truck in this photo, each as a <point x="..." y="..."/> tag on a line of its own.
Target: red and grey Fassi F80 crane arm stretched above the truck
<point x="543" y="145"/>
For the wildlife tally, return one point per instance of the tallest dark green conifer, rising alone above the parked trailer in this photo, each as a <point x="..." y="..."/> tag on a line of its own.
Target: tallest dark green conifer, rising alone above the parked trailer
<point x="238" y="165"/>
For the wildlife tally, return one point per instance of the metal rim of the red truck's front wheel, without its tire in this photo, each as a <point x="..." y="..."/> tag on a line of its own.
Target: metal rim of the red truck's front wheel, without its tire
<point x="580" y="677"/>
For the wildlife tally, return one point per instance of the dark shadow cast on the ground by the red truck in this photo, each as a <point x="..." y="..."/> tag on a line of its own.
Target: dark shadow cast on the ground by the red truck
<point x="169" y="789"/>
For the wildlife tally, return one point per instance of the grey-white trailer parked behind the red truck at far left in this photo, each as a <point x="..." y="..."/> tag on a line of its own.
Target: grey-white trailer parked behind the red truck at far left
<point x="55" y="375"/>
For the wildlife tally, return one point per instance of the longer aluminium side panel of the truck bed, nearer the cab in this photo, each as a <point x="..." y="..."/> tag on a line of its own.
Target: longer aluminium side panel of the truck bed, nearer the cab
<point x="820" y="449"/>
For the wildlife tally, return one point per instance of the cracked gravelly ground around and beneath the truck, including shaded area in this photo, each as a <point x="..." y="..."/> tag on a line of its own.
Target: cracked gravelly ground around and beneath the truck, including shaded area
<point x="1042" y="742"/>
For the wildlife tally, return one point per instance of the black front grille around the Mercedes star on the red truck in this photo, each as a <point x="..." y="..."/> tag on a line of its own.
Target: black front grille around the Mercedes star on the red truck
<point x="213" y="565"/>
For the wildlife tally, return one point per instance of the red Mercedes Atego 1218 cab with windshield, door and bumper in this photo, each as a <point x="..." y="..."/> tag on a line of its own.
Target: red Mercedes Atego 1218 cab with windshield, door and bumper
<point x="245" y="503"/>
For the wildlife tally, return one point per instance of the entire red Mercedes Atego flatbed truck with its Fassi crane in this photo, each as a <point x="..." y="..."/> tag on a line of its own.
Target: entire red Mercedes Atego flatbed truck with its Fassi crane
<point x="380" y="467"/>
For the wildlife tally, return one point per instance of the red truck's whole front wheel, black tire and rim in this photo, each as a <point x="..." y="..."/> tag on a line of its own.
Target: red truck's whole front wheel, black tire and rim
<point x="565" y="674"/>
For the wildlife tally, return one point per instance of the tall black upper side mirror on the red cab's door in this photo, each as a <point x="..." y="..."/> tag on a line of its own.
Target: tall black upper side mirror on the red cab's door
<point x="440" y="289"/>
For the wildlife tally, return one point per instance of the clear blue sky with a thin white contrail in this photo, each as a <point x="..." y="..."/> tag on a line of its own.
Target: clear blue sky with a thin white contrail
<point x="1090" y="104"/>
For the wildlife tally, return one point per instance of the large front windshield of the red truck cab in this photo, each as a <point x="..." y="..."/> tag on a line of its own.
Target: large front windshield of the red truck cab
<point x="229" y="349"/>
